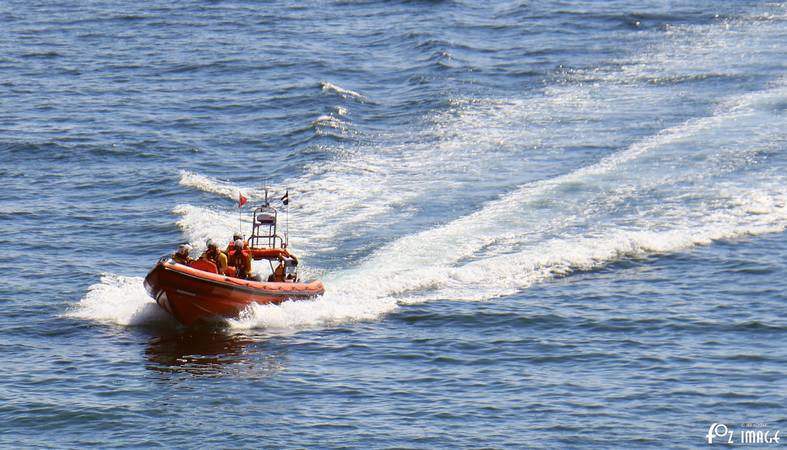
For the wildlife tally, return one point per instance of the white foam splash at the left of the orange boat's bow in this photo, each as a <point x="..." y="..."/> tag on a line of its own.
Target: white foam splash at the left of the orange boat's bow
<point x="119" y="300"/>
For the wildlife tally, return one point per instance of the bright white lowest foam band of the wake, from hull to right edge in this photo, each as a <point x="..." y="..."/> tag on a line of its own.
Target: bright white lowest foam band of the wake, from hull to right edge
<point x="400" y="274"/>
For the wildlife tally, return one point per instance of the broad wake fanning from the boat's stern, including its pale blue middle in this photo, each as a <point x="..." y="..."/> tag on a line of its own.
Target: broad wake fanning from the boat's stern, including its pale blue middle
<point x="509" y="245"/>
